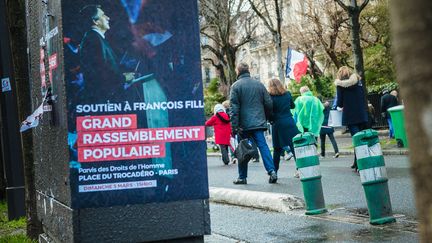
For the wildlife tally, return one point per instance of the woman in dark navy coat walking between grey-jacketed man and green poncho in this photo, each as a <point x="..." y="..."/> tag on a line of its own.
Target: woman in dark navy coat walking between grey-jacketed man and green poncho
<point x="283" y="125"/>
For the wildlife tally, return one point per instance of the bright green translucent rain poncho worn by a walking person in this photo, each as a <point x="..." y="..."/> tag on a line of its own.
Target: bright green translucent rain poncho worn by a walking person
<point x="309" y="113"/>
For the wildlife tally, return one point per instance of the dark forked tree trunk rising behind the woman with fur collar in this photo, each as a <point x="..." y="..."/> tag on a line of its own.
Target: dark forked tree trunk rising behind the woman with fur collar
<point x="353" y="9"/>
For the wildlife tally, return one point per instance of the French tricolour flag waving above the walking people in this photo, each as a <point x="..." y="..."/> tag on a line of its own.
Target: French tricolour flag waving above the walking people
<point x="296" y="65"/>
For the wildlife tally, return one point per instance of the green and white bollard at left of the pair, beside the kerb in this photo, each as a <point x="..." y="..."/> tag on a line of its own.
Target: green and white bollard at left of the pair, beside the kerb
<point x="310" y="175"/>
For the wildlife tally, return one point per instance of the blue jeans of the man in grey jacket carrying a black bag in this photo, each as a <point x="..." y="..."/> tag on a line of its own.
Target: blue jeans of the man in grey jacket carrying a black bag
<point x="258" y="137"/>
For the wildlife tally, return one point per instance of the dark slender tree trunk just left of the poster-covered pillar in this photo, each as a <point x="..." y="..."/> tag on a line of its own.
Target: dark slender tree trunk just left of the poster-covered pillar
<point x="18" y="37"/>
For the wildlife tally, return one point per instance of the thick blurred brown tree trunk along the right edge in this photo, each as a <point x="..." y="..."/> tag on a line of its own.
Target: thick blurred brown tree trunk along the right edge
<point x="412" y="43"/>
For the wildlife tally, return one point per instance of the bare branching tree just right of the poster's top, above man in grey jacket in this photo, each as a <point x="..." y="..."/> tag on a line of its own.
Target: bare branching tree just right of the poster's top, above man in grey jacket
<point x="227" y="26"/>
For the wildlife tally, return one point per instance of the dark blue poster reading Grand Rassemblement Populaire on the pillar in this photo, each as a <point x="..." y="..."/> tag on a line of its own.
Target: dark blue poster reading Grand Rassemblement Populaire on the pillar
<point x="135" y="102"/>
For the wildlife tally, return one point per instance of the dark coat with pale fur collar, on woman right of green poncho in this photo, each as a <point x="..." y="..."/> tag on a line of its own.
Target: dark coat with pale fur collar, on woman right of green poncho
<point x="351" y="97"/>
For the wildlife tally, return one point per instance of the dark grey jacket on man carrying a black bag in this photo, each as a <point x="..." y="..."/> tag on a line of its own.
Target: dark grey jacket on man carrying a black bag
<point x="251" y="104"/>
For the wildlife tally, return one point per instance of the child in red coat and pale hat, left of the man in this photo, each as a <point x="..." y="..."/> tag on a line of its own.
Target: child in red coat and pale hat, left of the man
<point x="222" y="129"/>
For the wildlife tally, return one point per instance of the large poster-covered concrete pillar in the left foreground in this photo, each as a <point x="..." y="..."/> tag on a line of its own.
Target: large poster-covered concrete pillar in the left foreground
<point x="120" y="151"/>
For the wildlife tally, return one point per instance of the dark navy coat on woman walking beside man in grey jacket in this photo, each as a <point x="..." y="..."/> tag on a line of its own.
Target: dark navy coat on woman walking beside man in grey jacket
<point x="283" y="125"/>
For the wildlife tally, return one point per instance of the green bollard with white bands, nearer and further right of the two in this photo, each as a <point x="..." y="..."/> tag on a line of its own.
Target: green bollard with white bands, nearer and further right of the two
<point x="373" y="176"/>
